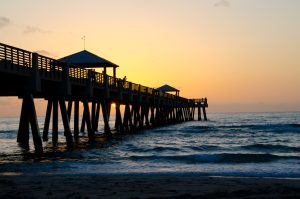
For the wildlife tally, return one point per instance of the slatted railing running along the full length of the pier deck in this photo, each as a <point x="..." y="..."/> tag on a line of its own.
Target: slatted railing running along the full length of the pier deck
<point x="19" y="60"/>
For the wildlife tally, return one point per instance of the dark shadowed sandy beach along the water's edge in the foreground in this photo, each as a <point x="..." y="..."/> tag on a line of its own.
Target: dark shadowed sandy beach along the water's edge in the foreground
<point x="45" y="186"/>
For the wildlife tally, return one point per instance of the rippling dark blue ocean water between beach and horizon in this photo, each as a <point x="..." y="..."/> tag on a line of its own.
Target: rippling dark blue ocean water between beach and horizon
<point x="228" y="144"/>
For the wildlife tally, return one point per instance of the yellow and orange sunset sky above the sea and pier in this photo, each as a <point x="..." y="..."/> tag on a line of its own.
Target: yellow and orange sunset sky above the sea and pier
<point x="243" y="55"/>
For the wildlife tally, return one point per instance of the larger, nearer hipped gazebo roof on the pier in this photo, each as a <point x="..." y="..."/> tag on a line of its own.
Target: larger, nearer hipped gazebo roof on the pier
<point x="88" y="60"/>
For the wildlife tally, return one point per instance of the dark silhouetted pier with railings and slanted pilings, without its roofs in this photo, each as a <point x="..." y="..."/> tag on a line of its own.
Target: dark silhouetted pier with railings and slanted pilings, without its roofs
<point x="29" y="75"/>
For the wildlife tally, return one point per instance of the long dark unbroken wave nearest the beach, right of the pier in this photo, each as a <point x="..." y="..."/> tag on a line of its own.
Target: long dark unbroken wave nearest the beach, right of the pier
<point x="215" y="158"/>
